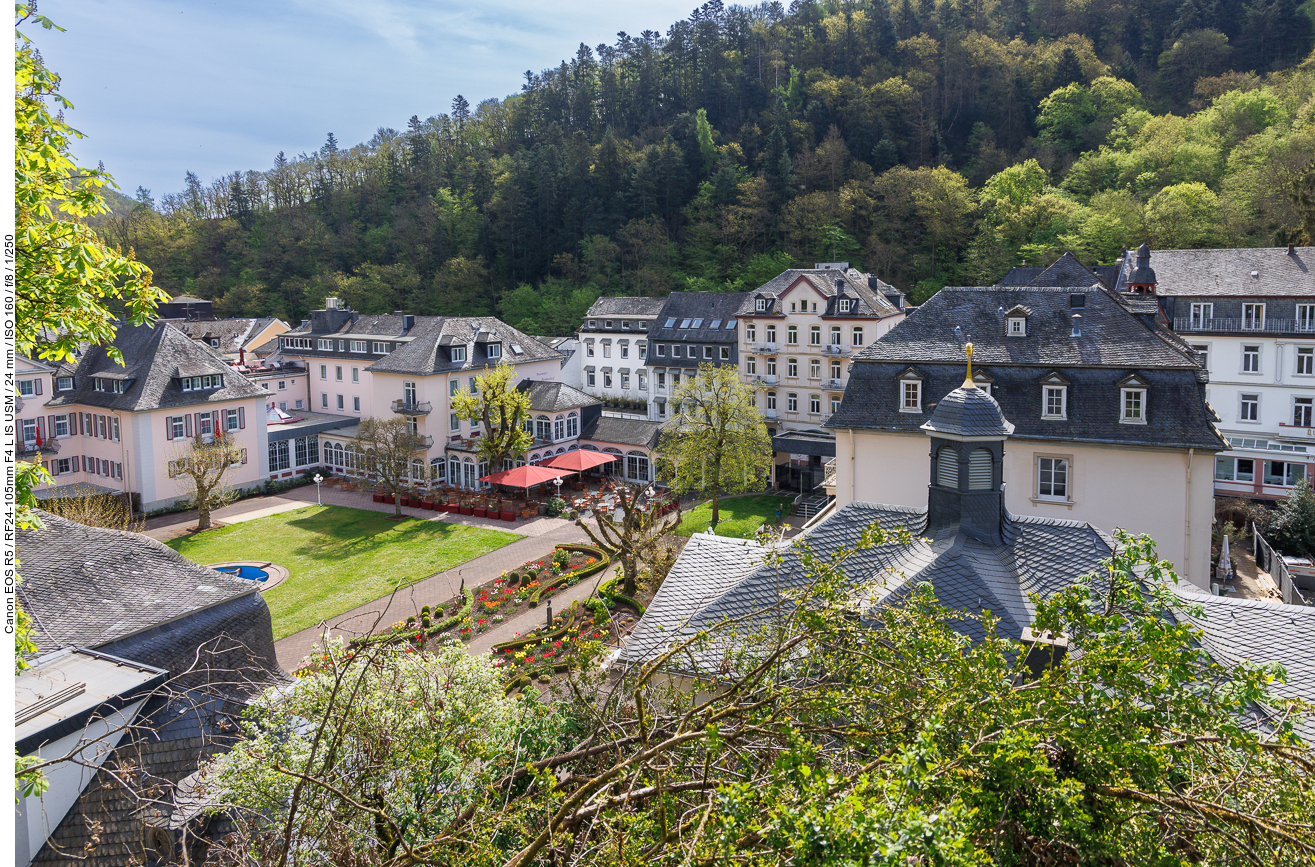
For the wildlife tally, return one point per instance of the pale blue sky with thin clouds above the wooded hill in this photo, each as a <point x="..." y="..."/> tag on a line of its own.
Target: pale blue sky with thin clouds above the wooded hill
<point x="162" y="87"/>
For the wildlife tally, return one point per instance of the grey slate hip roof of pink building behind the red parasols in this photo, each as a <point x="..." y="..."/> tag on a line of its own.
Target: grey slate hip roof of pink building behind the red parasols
<point x="423" y="355"/>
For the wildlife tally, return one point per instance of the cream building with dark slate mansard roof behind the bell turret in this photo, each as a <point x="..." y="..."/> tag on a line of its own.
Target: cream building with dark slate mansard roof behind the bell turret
<point x="1112" y="426"/>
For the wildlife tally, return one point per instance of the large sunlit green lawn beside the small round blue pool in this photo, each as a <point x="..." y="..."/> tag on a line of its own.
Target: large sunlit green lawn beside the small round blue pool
<point x="340" y="558"/>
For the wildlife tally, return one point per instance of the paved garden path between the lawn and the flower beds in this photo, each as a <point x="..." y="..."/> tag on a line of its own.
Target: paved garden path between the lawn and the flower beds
<point x="442" y="587"/>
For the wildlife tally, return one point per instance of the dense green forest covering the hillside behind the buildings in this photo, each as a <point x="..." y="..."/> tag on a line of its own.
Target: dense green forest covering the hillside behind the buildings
<point x="929" y="143"/>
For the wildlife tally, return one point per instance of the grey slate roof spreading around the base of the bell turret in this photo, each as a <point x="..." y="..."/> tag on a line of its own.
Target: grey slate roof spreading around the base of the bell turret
<point x="716" y="580"/>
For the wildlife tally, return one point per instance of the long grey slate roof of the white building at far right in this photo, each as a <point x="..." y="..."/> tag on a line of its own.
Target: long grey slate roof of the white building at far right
<point x="1228" y="273"/>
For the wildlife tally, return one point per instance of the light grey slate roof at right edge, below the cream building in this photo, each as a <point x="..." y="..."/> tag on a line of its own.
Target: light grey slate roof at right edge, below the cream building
<point x="1254" y="631"/>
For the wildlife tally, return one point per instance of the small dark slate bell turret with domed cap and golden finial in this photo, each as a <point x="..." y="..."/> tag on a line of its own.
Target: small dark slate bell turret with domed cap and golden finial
<point x="967" y="491"/>
